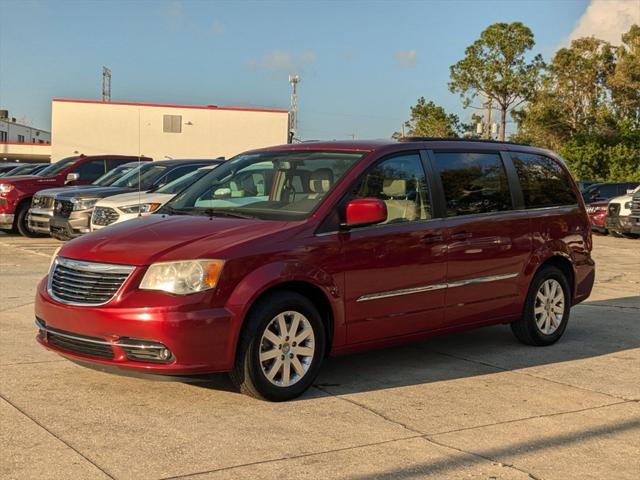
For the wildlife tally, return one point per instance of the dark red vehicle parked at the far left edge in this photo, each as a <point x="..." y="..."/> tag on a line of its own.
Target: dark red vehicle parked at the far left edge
<point x="16" y="192"/>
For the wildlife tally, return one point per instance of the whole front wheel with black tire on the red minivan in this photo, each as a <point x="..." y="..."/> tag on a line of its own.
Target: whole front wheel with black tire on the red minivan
<point x="261" y="335"/>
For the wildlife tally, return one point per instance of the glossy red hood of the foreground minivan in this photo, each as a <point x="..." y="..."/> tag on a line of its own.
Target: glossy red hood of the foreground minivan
<point x="164" y="238"/>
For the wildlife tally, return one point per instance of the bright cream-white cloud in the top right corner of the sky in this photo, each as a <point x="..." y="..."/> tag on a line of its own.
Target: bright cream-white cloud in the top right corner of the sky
<point x="607" y="20"/>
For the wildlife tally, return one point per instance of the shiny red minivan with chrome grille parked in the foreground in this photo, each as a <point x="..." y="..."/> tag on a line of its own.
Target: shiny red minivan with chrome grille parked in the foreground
<point x="284" y="255"/>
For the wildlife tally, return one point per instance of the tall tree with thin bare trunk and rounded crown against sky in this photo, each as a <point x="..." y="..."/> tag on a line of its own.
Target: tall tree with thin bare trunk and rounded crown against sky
<point x="495" y="67"/>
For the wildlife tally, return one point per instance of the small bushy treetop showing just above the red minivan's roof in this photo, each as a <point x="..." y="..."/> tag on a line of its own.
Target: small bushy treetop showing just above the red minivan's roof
<point x="430" y="120"/>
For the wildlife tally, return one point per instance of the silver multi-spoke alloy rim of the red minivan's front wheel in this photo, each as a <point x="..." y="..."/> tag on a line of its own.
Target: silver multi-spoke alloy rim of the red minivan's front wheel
<point x="287" y="347"/>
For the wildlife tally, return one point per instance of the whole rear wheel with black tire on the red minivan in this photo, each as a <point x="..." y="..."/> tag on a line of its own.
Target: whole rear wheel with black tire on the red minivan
<point x="540" y="324"/>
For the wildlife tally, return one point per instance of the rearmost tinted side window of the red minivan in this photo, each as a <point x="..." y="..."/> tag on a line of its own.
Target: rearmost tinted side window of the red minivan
<point x="544" y="183"/>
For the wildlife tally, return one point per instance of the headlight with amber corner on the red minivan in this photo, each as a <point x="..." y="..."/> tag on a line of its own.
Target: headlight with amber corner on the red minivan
<point x="184" y="277"/>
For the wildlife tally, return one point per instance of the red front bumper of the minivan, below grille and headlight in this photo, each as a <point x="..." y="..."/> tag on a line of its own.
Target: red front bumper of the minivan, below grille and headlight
<point x="198" y="337"/>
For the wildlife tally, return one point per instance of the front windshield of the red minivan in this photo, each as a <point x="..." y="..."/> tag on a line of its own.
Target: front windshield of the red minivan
<point x="285" y="185"/>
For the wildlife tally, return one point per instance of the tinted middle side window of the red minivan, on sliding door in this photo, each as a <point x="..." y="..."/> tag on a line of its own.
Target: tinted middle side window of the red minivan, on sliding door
<point x="473" y="182"/>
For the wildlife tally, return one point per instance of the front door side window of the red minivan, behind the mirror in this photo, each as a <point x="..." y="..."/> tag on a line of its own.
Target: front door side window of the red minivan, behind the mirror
<point x="402" y="184"/>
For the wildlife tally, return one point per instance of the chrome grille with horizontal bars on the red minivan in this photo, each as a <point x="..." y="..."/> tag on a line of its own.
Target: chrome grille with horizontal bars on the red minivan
<point x="76" y="282"/>
